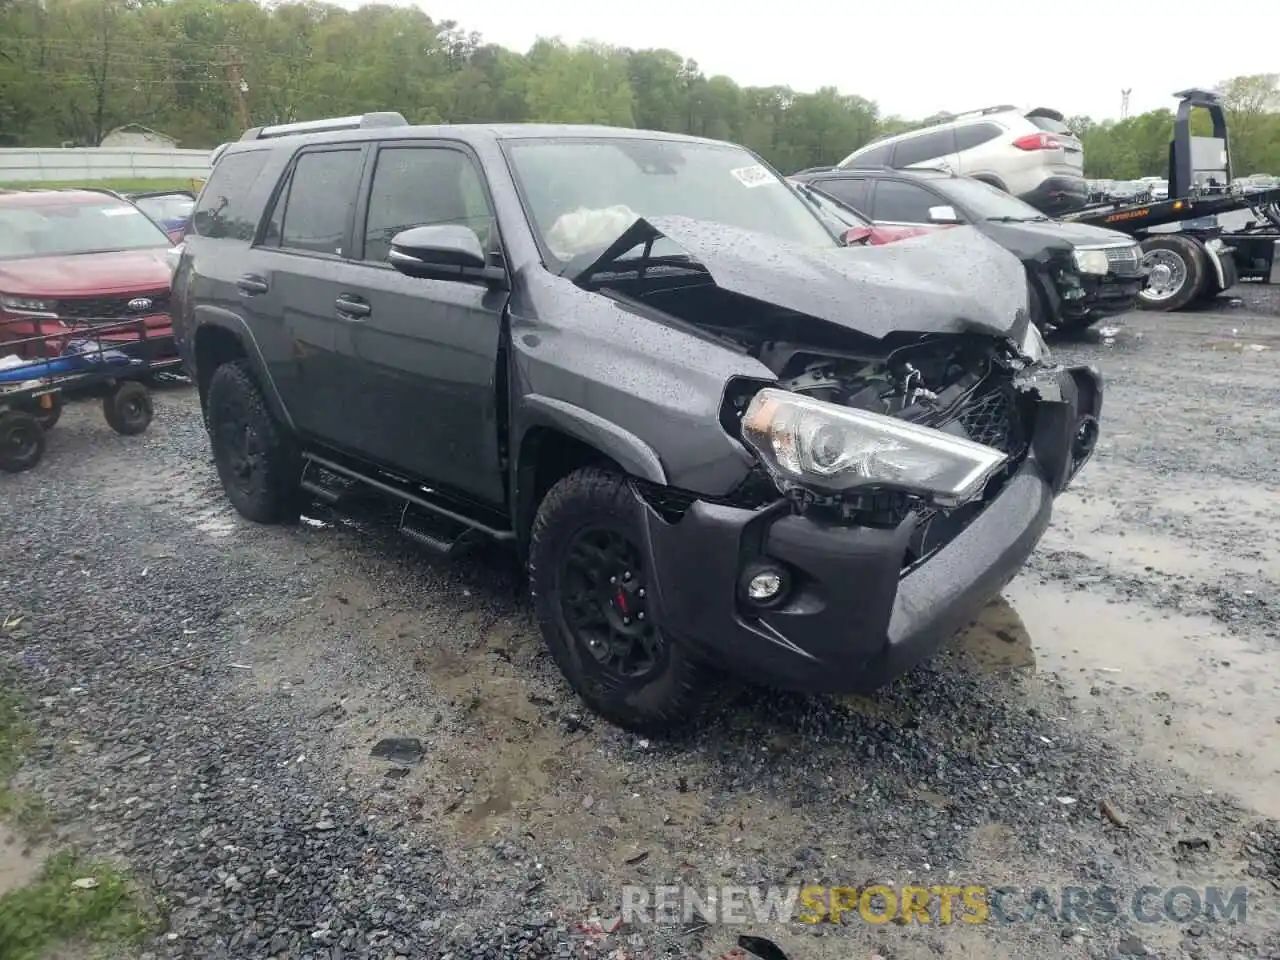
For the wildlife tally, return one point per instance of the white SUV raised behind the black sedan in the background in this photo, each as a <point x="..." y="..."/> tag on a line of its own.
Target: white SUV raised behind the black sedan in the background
<point x="1031" y="154"/>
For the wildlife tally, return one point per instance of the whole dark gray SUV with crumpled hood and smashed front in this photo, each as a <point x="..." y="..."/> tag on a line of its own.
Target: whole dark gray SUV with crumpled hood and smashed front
<point x="724" y="440"/>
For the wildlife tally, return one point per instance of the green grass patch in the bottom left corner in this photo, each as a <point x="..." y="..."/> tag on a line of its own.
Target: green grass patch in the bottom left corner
<point x="51" y="912"/>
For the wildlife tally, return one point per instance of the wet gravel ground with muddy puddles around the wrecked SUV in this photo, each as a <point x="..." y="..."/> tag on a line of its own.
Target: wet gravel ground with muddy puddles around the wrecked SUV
<point x="208" y="694"/>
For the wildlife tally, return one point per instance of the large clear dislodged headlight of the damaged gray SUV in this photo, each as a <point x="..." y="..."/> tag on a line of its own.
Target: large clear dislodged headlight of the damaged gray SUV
<point x="825" y="447"/>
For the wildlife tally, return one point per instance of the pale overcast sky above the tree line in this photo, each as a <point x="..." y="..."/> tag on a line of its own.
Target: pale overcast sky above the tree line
<point x="918" y="57"/>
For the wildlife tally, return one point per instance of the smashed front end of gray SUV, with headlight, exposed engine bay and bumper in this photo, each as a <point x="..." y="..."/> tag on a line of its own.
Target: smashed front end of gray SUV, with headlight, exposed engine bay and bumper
<point x="894" y="497"/>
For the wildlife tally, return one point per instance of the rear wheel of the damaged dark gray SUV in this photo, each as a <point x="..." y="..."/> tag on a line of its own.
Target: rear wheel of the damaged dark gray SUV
<point x="269" y="492"/>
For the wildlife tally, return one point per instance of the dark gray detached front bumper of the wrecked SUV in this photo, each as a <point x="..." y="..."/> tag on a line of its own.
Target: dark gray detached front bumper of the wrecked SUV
<point x="853" y="620"/>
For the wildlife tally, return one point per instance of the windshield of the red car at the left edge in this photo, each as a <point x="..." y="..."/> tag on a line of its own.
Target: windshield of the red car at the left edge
<point x="66" y="230"/>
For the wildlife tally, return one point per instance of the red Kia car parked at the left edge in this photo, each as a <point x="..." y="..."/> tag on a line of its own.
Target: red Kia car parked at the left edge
<point x="80" y="263"/>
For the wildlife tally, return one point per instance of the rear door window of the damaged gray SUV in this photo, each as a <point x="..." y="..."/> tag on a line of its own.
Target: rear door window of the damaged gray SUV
<point x="319" y="202"/>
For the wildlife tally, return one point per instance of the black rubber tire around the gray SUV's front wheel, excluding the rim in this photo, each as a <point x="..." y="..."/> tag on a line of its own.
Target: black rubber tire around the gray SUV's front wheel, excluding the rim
<point x="679" y="687"/>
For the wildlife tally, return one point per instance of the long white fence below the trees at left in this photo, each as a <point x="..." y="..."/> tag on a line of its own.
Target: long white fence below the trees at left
<point x="102" y="164"/>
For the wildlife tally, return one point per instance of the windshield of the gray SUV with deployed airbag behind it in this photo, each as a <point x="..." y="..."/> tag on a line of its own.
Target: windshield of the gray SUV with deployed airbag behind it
<point x="583" y="194"/>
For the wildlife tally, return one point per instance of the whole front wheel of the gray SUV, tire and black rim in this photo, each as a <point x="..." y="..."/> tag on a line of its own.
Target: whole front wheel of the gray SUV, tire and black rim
<point x="591" y="586"/>
